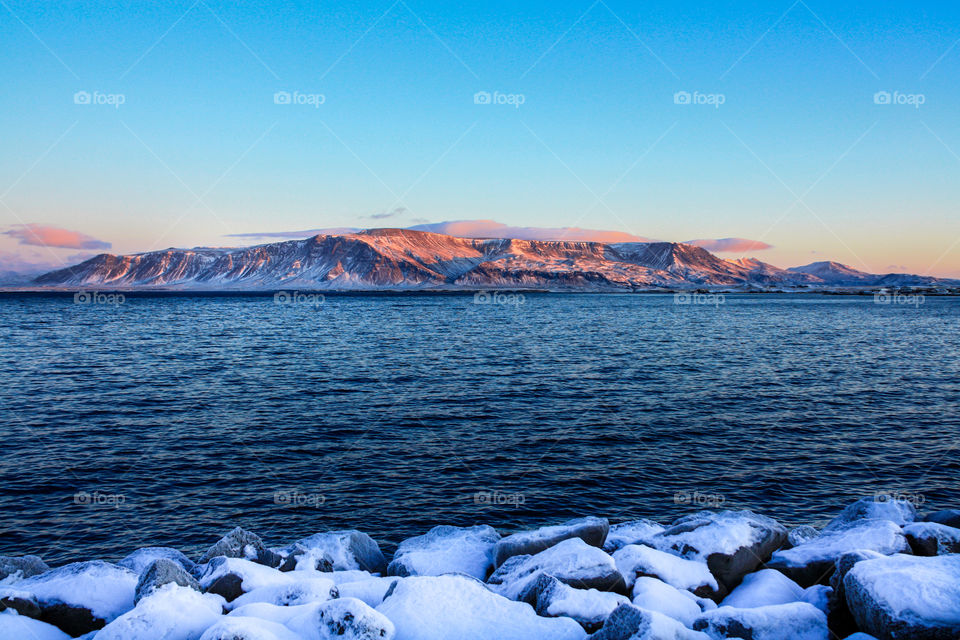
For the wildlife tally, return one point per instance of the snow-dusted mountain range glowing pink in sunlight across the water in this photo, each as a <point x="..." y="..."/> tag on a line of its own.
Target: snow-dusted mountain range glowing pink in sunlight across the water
<point x="388" y="259"/>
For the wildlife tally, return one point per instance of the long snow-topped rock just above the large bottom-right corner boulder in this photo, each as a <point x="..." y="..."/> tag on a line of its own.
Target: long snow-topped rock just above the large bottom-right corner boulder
<point x="814" y="561"/>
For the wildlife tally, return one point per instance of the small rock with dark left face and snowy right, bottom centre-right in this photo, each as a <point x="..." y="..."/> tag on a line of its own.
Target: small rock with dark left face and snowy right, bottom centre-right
<point x="552" y="598"/>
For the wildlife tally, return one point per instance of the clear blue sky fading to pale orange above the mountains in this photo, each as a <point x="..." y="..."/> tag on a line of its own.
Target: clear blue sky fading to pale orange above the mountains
<point x="825" y="131"/>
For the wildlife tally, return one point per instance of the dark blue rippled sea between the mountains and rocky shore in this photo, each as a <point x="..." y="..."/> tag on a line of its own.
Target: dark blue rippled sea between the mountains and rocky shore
<point x="170" y="419"/>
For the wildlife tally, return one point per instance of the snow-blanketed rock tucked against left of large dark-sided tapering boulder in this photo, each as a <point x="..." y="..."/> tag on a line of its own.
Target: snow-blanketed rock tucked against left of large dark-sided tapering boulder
<point x="635" y="560"/>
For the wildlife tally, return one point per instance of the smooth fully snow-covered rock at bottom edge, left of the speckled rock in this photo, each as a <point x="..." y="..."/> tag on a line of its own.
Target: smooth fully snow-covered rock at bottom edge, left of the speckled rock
<point x="170" y="612"/>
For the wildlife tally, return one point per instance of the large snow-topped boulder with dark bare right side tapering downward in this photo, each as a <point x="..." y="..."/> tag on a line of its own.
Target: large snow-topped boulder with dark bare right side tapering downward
<point x="732" y="543"/>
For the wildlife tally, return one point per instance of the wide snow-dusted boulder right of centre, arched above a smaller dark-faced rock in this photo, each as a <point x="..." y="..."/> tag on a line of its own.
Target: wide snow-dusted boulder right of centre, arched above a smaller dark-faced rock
<point x="572" y="561"/>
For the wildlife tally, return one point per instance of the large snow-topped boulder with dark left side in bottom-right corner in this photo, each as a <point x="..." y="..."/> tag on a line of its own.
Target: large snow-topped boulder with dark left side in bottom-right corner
<point x="906" y="596"/>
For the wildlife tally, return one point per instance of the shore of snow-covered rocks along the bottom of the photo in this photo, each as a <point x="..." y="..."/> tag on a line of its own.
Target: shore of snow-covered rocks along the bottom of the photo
<point x="877" y="570"/>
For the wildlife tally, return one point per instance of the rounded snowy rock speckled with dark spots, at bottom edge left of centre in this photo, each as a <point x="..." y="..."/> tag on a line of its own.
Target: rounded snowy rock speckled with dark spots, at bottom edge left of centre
<point x="342" y="619"/>
